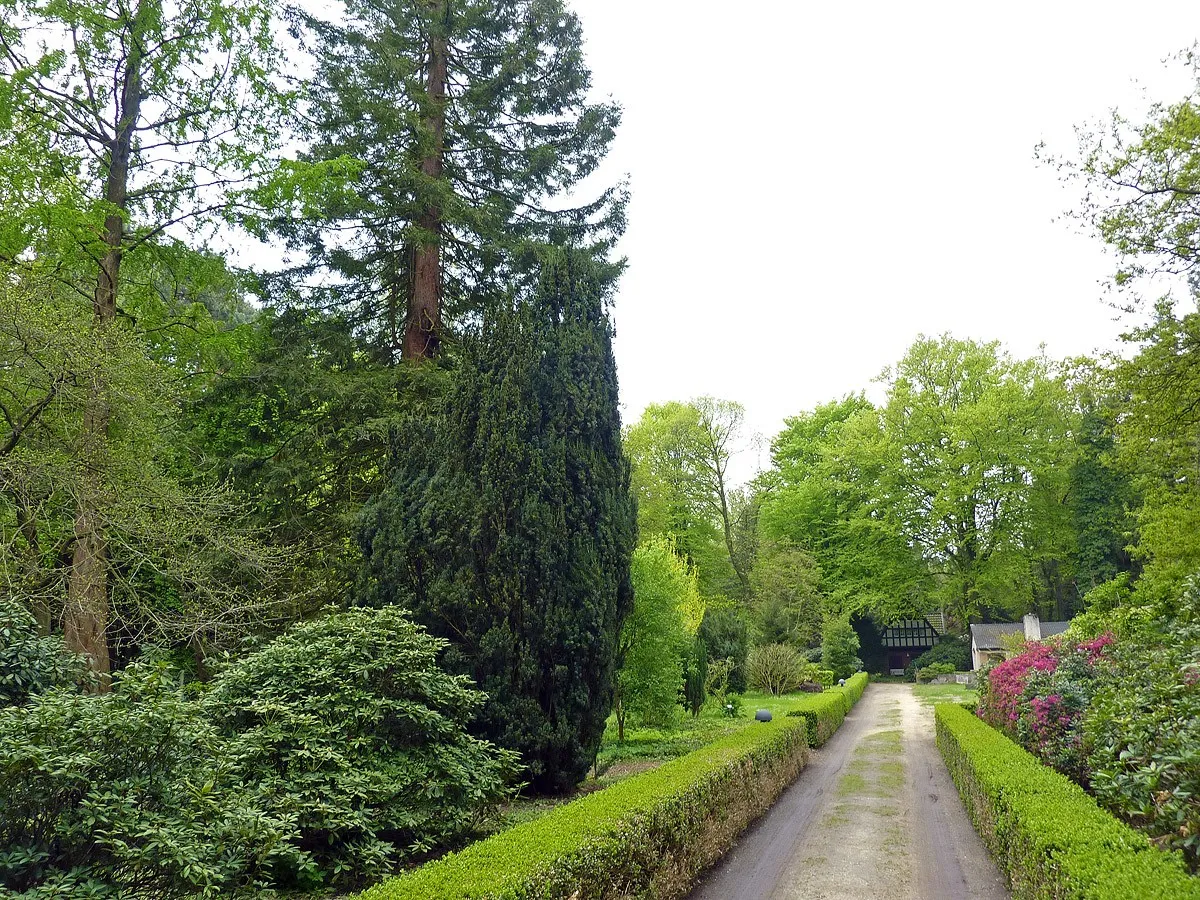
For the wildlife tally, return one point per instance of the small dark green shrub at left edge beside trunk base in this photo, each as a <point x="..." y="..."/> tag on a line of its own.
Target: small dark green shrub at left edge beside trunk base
<point x="29" y="663"/>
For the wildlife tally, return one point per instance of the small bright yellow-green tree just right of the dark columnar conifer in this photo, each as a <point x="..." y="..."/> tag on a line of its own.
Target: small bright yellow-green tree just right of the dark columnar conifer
<point x="656" y="637"/>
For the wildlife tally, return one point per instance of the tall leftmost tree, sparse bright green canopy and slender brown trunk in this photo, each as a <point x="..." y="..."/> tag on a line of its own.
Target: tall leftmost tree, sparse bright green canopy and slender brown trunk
<point x="122" y="128"/>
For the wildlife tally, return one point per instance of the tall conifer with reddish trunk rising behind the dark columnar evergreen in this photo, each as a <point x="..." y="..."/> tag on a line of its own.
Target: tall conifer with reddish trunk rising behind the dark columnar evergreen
<point x="470" y="118"/>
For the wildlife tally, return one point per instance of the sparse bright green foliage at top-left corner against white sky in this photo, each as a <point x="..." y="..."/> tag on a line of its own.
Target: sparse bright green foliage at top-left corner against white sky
<point x="199" y="70"/>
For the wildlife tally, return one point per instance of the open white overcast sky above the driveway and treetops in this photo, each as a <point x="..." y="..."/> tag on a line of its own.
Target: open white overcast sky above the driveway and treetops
<point x="817" y="184"/>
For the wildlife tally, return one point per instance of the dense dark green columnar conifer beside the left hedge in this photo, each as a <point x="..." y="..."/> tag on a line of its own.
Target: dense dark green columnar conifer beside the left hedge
<point x="508" y="526"/>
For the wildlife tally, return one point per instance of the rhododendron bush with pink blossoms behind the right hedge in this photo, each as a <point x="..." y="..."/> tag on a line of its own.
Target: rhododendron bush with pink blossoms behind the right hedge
<point x="1121" y="718"/>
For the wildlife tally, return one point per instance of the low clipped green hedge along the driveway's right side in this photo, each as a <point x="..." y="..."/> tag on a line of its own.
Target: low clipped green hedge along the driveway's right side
<point x="1048" y="837"/>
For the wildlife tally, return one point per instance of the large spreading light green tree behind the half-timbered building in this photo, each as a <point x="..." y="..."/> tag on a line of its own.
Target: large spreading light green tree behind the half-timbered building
<point x="952" y="494"/>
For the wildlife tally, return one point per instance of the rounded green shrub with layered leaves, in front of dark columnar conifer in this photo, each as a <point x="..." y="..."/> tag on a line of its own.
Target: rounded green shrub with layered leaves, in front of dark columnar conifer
<point x="349" y="724"/>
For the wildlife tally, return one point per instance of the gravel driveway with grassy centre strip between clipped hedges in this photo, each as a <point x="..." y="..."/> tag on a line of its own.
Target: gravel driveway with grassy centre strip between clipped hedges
<point x="874" y="815"/>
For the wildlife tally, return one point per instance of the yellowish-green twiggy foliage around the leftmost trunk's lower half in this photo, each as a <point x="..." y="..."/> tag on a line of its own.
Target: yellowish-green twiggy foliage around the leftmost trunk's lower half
<point x="182" y="557"/>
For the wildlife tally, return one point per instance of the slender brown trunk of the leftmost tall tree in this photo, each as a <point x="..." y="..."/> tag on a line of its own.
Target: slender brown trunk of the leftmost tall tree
<point x="86" y="619"/>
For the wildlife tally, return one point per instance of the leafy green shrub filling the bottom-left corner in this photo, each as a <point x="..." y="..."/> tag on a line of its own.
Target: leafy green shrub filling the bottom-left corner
<point x="131" y="794"/>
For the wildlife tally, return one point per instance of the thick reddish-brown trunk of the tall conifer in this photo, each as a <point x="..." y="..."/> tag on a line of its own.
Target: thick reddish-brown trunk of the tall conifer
<point x="423" y="322"/>
